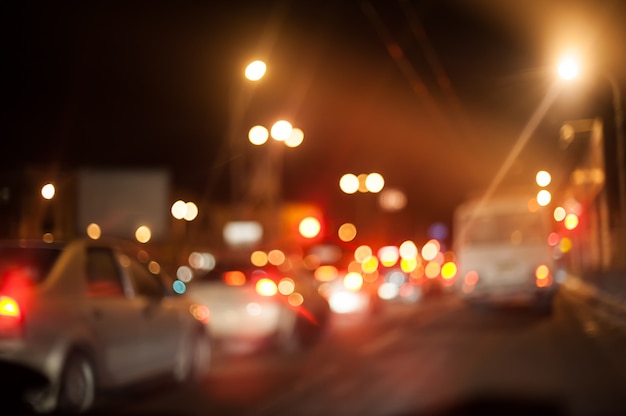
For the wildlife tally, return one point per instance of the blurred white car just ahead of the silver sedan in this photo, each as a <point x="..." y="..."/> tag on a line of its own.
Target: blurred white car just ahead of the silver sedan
<point x="256" y="307"/>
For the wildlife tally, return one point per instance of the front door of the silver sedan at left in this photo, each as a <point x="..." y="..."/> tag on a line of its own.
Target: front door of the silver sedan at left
<point x="161" y="324"/>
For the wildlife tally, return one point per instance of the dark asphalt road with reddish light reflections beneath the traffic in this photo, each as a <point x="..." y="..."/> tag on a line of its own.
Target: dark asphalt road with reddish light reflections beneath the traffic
<point x="436" y="358"/>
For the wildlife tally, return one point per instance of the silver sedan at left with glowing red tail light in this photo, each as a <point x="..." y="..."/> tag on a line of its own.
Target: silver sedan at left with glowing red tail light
<point x="91" y="315"/>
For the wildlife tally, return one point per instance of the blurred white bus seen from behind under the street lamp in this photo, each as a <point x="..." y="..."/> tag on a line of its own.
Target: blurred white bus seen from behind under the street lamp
<point x="503" y="251"/>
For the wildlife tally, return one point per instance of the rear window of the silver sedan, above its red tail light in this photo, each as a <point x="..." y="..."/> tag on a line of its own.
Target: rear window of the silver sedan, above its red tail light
<point x="26" y="263"/>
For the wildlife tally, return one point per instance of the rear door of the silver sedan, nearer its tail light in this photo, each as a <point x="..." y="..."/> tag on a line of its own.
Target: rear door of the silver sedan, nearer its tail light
<point x="117" y="318"/>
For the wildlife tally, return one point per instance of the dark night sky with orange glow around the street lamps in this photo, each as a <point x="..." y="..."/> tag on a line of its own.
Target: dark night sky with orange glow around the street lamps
<point x="432" y="94"/>
